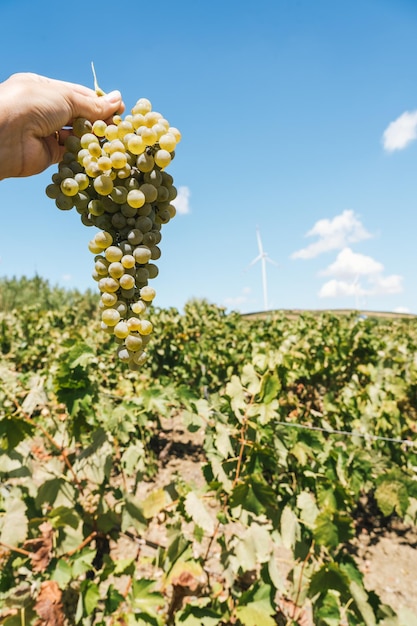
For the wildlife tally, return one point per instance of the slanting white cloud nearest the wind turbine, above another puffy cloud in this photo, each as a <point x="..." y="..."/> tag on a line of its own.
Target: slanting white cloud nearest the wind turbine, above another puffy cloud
<point x="333" y="235"/>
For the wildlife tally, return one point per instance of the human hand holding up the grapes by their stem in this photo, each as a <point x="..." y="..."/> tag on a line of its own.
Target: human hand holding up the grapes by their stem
<point x="32" y="109"/>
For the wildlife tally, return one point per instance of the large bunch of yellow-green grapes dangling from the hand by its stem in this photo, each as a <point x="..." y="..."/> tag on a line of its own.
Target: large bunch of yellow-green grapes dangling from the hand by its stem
<point x="114" y="175"/>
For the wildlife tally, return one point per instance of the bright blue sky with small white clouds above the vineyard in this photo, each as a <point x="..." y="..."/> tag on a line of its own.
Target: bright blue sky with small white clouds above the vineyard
<point x="298" y="117"/>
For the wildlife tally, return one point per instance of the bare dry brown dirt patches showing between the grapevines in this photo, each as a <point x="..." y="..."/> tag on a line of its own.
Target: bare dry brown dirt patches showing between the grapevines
<point x="387" y="557"/>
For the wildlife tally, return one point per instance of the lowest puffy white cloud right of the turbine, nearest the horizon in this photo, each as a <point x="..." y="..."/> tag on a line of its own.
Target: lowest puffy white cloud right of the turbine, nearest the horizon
<point x="358" y="275"/>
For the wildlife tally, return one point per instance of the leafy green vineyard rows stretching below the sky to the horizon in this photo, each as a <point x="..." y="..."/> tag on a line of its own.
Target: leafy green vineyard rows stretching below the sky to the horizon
<point x="226" y="482"/>
